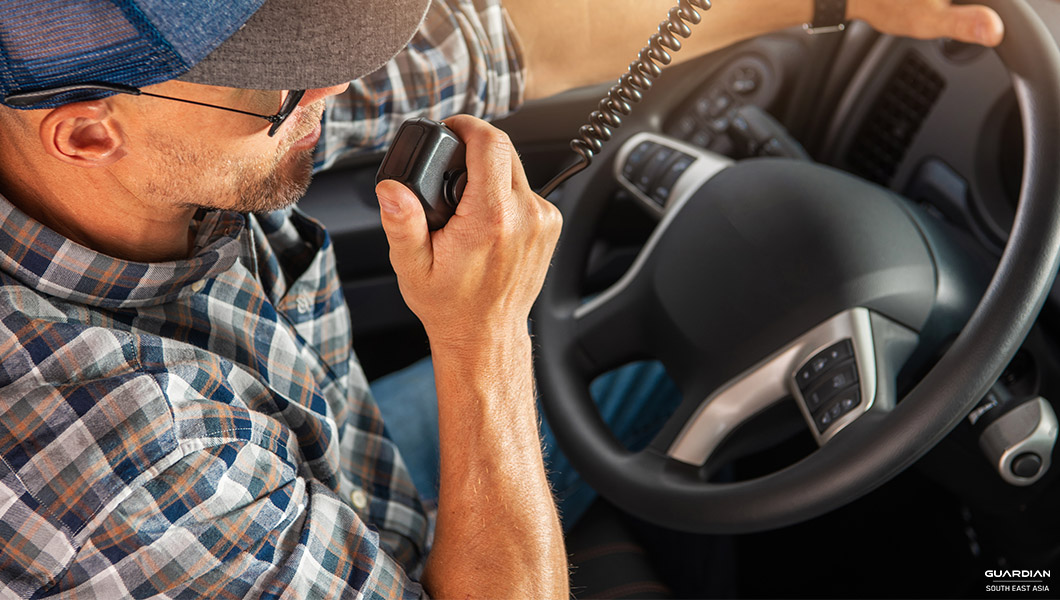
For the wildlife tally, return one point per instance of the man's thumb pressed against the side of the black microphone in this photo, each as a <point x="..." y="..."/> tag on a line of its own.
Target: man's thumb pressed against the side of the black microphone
<point x="407" y="228"/>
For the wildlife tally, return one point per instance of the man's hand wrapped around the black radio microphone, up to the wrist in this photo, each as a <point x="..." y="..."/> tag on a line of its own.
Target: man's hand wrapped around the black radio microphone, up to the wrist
<point x="486" y="268"/>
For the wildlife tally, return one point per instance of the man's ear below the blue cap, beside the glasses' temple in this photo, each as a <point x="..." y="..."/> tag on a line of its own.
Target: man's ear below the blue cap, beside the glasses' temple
<point x="83" y="134"/>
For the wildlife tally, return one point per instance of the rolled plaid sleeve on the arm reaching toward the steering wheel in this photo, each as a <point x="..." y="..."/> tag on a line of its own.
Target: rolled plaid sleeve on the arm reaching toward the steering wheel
<point x="466" y="59"/>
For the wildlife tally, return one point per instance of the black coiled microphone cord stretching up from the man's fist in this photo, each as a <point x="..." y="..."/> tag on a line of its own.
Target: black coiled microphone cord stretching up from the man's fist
<point x="631" y="87"/>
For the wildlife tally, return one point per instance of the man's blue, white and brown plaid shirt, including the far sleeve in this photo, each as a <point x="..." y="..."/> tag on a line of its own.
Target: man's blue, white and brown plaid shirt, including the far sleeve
<point x="202" y="429"/>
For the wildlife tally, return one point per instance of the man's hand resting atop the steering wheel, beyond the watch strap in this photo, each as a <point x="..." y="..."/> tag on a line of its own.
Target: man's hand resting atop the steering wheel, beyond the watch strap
<point x="928" y="20"/>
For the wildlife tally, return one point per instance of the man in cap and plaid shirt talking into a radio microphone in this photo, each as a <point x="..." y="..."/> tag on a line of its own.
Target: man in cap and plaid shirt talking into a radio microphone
<point x="181" y="411"/>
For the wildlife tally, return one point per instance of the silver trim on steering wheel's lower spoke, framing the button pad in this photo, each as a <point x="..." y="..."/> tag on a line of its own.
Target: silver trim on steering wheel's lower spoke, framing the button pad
<point x="773" y="381"/>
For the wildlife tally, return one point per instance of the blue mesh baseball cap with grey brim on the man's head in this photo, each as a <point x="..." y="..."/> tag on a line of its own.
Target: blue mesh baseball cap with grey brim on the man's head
<point x="269" y="45"/>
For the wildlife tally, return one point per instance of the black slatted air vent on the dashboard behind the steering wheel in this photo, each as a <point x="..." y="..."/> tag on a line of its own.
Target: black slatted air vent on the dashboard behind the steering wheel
<point x="895" y="119"/>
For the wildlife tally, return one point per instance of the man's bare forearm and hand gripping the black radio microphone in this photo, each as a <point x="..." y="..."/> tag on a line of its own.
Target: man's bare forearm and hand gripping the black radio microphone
<point x="472" y="284"/>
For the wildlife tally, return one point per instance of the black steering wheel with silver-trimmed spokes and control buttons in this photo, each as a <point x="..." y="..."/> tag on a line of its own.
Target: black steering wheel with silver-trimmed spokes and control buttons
<point x="770" y="279"/>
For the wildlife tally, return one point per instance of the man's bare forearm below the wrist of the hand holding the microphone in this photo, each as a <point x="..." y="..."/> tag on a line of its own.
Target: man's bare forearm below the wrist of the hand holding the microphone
<point x="499" y="535"/>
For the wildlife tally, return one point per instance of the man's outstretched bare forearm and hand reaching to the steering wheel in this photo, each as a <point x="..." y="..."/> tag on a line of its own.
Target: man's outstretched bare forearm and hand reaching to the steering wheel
<point x="574" y="43"/>
